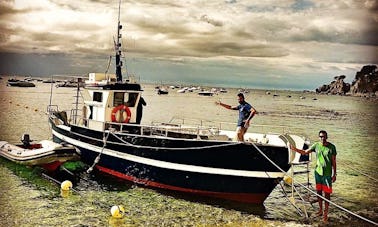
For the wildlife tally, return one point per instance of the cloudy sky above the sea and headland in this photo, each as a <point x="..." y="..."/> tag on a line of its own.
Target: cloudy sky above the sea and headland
<point x="276" y="44"/>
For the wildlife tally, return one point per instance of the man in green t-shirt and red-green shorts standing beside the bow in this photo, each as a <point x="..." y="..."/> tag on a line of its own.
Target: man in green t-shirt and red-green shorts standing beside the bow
<point x="325" y="163"/>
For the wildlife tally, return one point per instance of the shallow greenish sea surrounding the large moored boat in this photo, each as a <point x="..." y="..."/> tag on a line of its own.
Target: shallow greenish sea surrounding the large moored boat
<point x="29" y="197"/>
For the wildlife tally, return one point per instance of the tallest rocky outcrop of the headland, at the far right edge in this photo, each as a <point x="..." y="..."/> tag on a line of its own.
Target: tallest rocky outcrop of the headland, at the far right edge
<point x="366" y="81"/>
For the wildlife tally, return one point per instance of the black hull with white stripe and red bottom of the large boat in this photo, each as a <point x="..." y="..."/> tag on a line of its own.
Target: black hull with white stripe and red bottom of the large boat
<point x="228" y="170"/>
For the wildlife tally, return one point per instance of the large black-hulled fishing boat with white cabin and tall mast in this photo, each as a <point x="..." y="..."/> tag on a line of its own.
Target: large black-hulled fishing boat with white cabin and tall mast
<point x="196" y="159"/>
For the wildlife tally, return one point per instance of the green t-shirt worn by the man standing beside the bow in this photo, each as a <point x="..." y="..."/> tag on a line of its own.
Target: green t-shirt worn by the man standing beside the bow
<point x="324" y="157"/>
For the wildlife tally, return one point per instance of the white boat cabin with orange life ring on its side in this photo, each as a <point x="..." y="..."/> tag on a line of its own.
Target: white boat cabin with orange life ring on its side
<point x="108" y="103"/>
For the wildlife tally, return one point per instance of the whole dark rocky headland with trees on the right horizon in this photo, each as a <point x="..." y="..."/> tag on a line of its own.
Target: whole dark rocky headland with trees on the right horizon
<point x="364" y="84"/>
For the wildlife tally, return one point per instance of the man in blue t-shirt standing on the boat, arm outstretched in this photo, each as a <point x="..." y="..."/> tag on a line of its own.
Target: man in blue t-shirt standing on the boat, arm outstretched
<point x="246" y="113"/>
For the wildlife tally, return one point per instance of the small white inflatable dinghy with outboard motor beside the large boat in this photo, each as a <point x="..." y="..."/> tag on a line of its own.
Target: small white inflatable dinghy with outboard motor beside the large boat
<point x="45" y="153"/>
